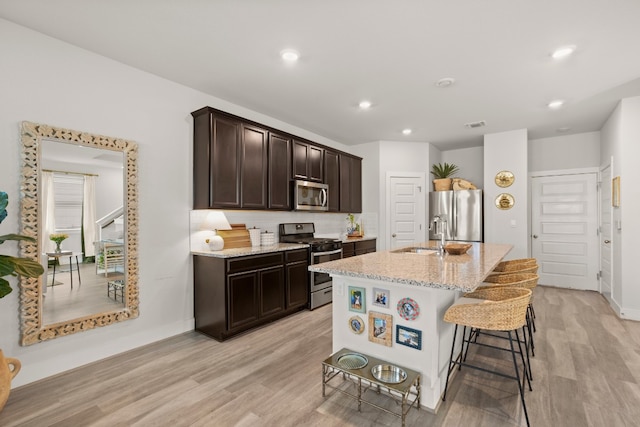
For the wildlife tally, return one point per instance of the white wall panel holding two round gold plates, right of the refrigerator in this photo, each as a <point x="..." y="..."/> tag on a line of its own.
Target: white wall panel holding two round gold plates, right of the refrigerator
<point x="507" y="151"/>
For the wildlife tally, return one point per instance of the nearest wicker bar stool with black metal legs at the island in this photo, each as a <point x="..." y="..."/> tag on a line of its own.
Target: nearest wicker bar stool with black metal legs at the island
<point x="500" y="308"/>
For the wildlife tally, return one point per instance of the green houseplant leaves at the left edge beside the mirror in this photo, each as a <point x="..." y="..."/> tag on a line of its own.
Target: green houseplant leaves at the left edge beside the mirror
<point x="14" y="266"/>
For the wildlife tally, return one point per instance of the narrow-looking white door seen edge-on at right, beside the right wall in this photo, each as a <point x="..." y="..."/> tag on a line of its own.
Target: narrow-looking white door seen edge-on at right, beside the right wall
<point x="605" y="232"/>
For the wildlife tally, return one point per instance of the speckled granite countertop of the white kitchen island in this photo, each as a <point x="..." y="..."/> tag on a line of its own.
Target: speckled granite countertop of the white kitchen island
<point x="454" y="272"/>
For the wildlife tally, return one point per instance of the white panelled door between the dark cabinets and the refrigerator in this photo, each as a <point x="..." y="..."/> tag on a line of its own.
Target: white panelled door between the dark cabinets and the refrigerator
<point x="406" y="210"/>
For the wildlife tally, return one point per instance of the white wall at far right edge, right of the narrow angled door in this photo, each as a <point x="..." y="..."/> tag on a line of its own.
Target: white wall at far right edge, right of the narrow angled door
<point x="620" y="136"/>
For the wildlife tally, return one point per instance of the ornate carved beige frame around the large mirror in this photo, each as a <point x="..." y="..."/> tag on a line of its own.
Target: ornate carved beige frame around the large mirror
<point x="31" y="296"/>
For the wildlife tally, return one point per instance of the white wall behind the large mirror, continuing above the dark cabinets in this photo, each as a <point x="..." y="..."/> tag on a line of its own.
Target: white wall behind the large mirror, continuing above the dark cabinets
<point x="47" y="81"/>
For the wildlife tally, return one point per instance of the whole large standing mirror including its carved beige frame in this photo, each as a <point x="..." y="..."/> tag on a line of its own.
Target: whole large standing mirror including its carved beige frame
<point x="78" y="201"/>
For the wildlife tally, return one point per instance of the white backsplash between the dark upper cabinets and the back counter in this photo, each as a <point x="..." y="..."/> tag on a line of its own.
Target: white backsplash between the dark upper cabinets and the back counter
<point x="327" y="224"/>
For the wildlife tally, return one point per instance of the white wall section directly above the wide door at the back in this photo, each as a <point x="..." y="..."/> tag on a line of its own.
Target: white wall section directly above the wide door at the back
<point x="581" y="150"/>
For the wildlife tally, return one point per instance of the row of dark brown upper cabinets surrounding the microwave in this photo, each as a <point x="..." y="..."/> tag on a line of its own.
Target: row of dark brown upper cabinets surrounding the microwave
<point x="240" y="164"/>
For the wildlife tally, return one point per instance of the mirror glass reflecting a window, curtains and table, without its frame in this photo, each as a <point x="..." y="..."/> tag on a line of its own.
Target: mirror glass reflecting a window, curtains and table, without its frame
<point x="81" y="205"/>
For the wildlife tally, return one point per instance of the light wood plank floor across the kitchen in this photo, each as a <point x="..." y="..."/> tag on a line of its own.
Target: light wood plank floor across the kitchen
<point x="586" y="373"/>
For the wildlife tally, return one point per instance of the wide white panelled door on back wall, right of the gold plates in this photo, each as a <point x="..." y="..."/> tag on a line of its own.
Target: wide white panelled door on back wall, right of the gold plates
<point x="564" y="230"/>
